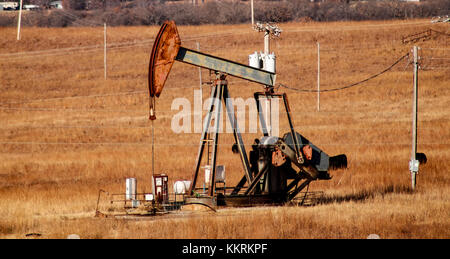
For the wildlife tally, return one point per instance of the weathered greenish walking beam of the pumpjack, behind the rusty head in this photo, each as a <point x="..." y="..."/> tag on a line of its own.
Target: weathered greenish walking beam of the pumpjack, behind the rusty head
<point x="226" y="66"/>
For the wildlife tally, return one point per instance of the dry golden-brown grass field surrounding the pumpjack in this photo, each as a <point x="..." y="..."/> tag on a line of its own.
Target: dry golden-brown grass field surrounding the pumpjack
<point x="66" y="132"/>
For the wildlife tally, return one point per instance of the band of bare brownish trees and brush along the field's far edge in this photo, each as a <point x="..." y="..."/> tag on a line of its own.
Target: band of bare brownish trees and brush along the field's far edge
<point x="140" y="12"/>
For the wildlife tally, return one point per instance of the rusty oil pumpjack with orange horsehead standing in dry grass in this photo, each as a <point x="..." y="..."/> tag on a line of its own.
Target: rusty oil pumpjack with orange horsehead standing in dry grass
<point x="277" y="168"/>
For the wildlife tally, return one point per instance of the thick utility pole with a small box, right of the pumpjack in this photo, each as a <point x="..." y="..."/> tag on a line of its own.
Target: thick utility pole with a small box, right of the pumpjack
<point x="413" y="163"/>
